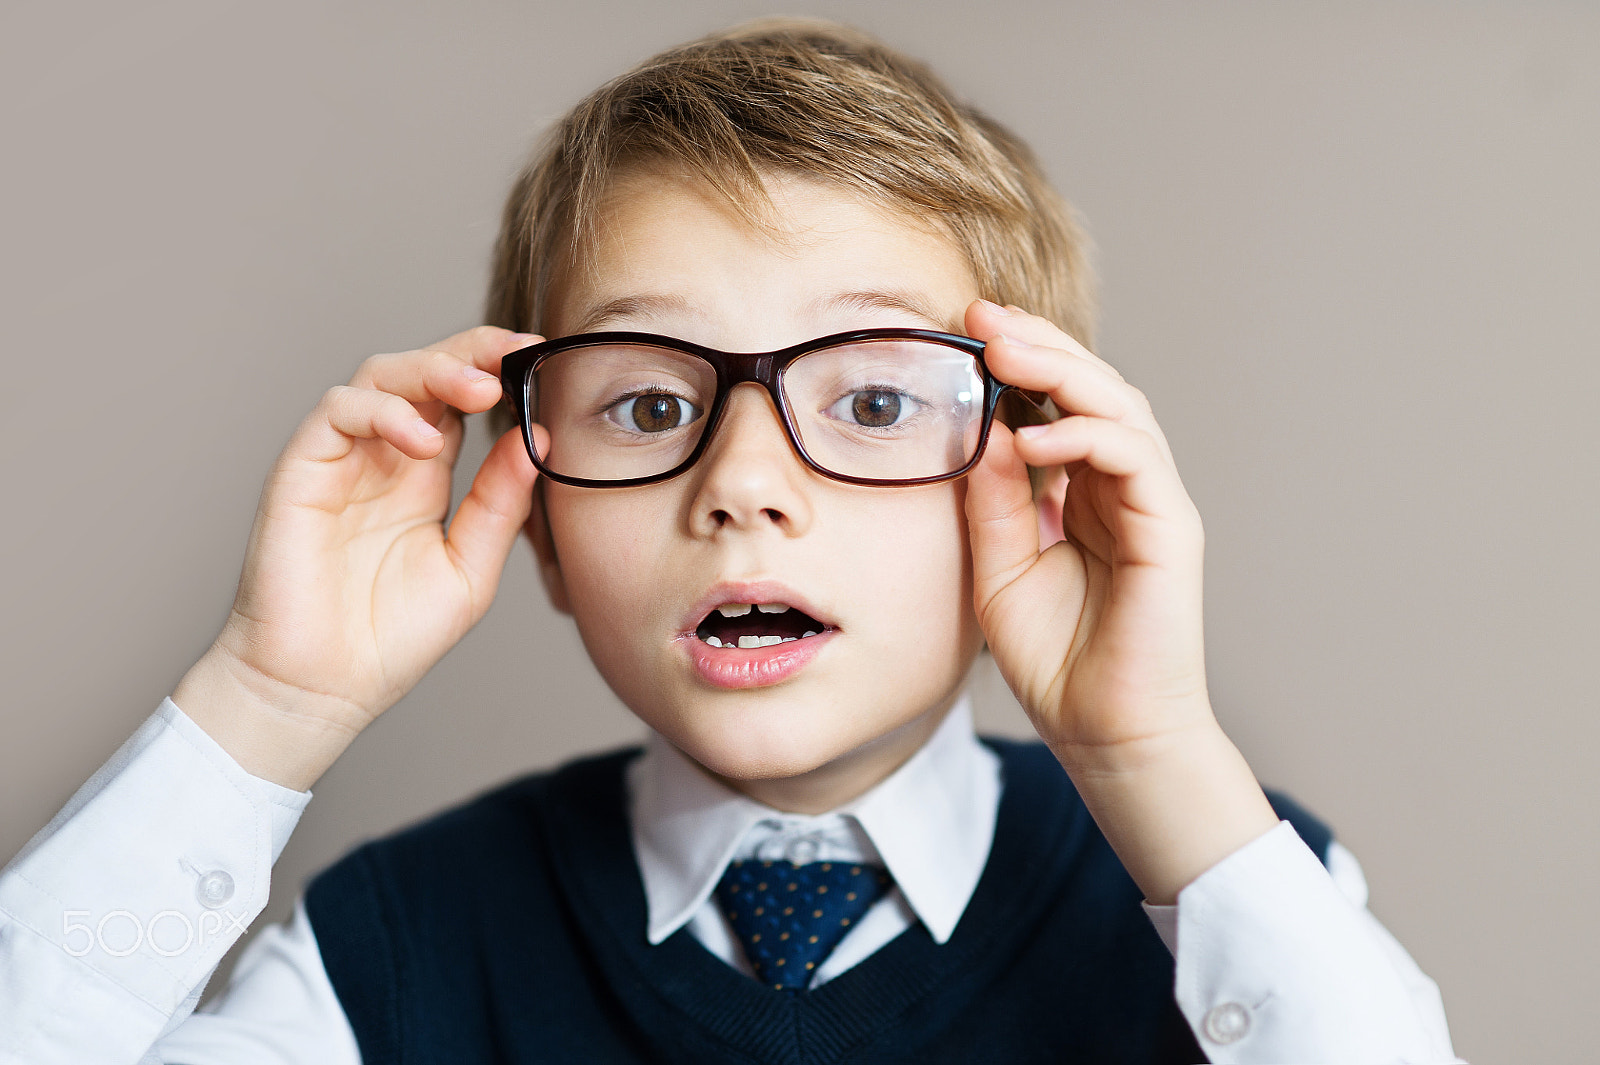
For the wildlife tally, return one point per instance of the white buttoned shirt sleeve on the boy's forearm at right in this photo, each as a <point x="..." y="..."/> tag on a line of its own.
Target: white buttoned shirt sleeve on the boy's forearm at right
<point x="1274" y="963"/>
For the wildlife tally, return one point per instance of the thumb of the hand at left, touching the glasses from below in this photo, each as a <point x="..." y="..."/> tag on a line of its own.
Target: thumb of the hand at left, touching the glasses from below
<point x="495" y="509"/>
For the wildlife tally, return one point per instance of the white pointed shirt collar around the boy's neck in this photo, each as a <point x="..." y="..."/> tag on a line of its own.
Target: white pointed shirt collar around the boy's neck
<point x="932" y="823"/>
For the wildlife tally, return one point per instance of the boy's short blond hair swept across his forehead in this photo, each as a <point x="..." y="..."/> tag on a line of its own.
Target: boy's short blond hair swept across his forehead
<point x="812" y="98"/>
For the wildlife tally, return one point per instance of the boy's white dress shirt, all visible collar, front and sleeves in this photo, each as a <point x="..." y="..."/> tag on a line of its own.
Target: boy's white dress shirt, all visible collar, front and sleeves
<point x="116" y="914"/>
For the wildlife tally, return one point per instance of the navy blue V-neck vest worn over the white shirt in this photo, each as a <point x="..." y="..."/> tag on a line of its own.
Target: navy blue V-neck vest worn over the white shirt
<point x="511" y="931"/>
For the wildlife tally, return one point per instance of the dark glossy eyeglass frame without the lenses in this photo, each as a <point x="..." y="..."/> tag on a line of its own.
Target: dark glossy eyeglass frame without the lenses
<point x="732" y="369"/>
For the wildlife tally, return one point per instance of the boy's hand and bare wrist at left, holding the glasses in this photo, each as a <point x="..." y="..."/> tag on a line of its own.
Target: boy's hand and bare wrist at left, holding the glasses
<point x="353" y="589"/>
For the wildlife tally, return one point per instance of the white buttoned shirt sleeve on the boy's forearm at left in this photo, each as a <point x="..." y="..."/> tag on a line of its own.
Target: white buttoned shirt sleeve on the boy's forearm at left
<point x="116" y="914"/>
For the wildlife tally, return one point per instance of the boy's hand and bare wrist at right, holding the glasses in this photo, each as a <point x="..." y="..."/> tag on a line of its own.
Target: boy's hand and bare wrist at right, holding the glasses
<point x="1102" y="634"/>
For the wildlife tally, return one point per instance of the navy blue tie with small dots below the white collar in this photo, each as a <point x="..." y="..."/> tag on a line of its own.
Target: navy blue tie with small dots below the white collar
<point x="791" y="917"/>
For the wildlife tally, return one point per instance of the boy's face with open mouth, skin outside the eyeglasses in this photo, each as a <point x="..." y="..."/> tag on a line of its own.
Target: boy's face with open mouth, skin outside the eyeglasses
<point x="886" y="568"/>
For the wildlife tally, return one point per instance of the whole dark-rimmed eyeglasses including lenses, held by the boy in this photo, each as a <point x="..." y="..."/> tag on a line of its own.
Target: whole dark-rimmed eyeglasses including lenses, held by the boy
<point x="873" y="407"/>
